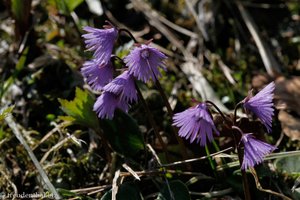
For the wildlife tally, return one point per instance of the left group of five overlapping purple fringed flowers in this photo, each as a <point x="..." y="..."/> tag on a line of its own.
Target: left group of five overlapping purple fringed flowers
<point x="142" y="63"/>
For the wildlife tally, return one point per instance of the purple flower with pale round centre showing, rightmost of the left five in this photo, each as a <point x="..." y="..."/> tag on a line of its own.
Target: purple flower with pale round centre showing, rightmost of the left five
<point x="143" y="62"/>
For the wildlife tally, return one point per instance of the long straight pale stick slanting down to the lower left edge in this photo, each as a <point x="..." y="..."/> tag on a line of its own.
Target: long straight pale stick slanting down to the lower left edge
<point x="13" y="125"/>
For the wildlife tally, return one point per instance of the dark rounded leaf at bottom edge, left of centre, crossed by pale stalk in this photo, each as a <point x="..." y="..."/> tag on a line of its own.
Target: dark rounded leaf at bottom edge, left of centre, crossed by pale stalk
<point x="126" y="191"/>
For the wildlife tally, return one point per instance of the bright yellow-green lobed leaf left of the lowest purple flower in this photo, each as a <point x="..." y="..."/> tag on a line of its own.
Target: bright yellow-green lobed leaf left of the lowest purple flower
<point x="80" y="109"/>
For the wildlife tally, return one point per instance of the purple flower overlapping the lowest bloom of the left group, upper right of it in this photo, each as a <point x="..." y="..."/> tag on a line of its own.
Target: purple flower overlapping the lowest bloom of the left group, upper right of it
<point x="123" y="86"/>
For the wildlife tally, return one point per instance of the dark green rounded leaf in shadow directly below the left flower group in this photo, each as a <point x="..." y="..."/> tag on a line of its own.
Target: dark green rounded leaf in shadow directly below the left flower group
<point x="123" y="134"/>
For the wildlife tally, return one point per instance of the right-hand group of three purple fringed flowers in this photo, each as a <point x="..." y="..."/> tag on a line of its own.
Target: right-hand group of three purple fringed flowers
<point x="197" y="123"/>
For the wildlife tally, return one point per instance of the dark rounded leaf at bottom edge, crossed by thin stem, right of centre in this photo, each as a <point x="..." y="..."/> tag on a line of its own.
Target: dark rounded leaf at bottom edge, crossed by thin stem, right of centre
<point x="179" y="190"/>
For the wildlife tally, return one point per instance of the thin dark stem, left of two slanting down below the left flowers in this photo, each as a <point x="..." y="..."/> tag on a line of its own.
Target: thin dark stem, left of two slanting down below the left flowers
<point x="151" y="121"/>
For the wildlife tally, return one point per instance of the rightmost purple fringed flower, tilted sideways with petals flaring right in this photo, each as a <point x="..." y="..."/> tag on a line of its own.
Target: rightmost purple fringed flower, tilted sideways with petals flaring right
<point x="262" y="105"/>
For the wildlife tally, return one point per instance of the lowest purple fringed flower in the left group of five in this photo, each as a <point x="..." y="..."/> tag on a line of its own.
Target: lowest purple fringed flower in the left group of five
<point x="107" y="103"/>
